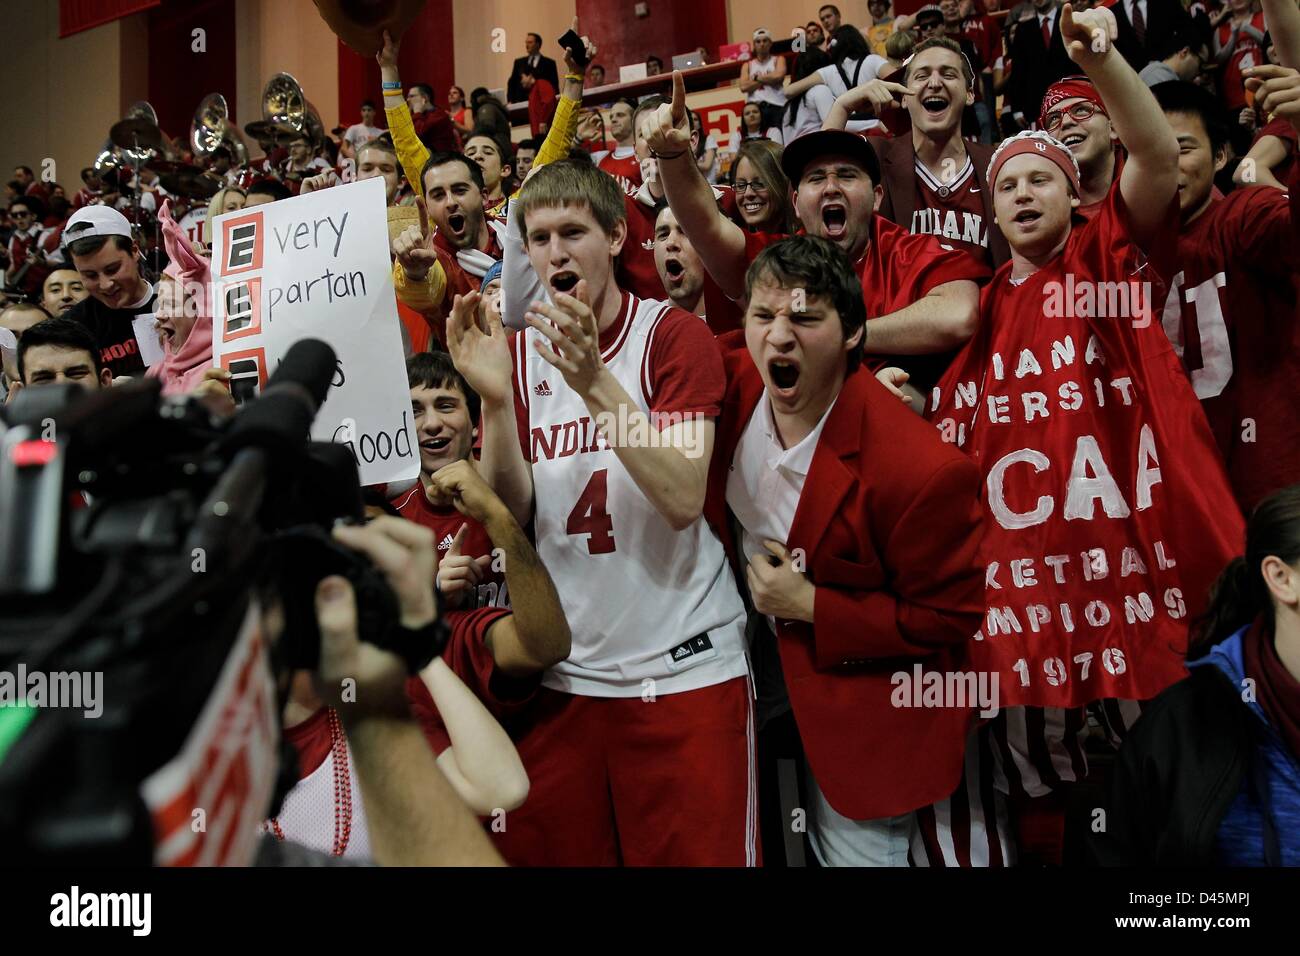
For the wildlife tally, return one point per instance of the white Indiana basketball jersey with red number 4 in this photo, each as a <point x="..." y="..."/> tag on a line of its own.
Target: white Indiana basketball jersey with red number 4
<point x="644" y="603"/>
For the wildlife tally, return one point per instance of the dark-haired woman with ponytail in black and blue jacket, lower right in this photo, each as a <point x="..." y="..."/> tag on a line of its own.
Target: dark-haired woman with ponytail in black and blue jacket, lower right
<point x="1211" y="775"/>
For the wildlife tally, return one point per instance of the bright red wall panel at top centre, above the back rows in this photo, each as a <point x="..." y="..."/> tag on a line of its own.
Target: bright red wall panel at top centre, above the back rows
<point x="674" y="27"/>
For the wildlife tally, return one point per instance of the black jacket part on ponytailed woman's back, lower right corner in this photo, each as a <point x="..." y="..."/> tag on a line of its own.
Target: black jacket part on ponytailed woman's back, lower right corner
<point x="1177" y="776"/>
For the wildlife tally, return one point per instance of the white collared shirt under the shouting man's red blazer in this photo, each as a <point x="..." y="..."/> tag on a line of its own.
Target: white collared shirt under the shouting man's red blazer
<point x="766" y="479"/>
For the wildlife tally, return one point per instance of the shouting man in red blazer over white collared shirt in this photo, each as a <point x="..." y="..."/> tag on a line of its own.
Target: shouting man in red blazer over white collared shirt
<point x="860" y="570"/>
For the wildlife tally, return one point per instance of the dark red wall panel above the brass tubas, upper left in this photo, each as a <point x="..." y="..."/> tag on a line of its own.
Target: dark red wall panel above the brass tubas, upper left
<point x="179" y="77"/>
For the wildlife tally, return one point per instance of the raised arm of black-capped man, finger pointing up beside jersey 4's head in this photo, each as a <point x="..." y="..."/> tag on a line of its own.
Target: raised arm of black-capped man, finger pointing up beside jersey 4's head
<point x="720" y="243"/>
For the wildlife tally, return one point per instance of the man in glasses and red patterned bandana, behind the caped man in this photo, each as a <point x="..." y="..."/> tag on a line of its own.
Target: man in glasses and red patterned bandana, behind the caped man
<point x="1074" y="114"/>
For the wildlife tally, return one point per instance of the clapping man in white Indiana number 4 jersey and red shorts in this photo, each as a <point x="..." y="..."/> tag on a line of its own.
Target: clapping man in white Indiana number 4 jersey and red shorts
<point x="599" y="425"/>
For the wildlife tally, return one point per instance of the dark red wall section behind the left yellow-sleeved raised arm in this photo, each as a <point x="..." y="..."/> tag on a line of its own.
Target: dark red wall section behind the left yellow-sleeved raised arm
<point x="428" y="57"/>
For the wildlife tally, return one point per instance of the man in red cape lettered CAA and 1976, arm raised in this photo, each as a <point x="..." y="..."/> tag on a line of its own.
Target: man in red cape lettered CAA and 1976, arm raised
<point x="1111" y="513"/>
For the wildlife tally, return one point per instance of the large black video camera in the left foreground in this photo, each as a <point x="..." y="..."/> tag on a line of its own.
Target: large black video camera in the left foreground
<point x="140" y="540"/>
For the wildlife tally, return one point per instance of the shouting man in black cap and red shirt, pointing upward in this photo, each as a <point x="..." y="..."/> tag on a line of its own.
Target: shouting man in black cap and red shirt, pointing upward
<point x="922" y="297"/>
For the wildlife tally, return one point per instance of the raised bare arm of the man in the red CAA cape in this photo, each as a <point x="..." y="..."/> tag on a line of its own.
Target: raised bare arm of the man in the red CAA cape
<point x="1150" y="179"/>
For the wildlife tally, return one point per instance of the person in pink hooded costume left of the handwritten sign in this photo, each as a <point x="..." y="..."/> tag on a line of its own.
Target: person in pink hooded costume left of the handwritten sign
<point x="185" y="318"/>
